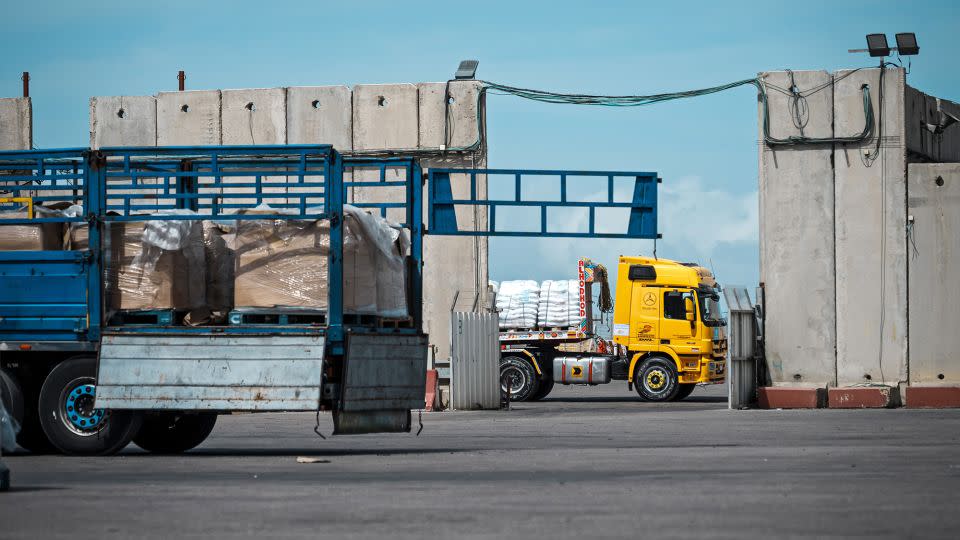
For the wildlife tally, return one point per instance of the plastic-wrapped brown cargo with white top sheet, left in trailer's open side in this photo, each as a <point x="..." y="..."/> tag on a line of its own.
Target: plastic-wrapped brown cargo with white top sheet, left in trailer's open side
<point x="157" y="264"/>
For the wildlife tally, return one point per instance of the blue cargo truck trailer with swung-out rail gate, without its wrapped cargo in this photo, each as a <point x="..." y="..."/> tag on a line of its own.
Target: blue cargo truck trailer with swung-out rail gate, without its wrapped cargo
<point x="84" y="380"/>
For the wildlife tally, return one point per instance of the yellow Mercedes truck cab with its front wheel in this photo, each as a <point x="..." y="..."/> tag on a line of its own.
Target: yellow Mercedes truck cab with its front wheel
<point x="667" y="316"/>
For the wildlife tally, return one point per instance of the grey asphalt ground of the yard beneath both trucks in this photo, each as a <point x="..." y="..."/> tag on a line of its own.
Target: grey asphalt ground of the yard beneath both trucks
<point x="584" y="463"/>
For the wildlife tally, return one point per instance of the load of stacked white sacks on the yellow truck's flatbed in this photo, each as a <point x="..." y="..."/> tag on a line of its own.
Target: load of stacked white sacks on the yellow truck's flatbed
<point x="551" y="304"/>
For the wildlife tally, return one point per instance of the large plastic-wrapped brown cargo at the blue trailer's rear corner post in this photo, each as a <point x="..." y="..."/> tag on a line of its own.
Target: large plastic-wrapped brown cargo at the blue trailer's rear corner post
<point x="284" y="263"/>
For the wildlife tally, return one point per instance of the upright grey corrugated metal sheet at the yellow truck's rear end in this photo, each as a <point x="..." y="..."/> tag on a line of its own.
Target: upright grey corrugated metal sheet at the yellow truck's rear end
<point x="475" y="361"/>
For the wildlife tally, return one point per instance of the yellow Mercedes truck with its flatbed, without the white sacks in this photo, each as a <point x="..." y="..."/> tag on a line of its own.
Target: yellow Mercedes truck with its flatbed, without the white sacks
<point x="667" y="335"/>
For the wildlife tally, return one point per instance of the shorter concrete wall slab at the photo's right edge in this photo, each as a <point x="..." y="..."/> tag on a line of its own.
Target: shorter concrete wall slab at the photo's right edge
<point x="933" y="260"/>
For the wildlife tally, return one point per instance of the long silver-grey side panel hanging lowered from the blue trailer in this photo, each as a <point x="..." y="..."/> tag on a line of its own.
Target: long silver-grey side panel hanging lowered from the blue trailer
<point x="238" y="373"/>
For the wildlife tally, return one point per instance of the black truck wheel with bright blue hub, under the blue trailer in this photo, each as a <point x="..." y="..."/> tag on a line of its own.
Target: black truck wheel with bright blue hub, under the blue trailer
<point x="68" y="418"/>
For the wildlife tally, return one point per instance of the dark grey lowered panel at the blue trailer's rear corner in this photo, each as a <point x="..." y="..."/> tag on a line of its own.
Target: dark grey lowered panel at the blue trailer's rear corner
<point x="385" y="372"/>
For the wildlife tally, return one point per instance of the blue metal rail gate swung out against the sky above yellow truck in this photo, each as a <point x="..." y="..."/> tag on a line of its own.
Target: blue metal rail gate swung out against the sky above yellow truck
<point x="642" y="206"/>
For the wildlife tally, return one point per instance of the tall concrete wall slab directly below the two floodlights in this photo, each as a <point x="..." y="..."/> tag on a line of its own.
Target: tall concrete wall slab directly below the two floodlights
<point x="871" y="267"/>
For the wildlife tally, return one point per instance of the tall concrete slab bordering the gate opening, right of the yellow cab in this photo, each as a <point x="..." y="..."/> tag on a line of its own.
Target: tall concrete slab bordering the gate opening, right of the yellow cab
<point x="796" y="237"/>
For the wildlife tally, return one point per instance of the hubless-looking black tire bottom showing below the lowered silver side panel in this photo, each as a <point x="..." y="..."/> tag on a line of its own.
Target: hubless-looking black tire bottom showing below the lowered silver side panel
<point x="174" y="432"/>
